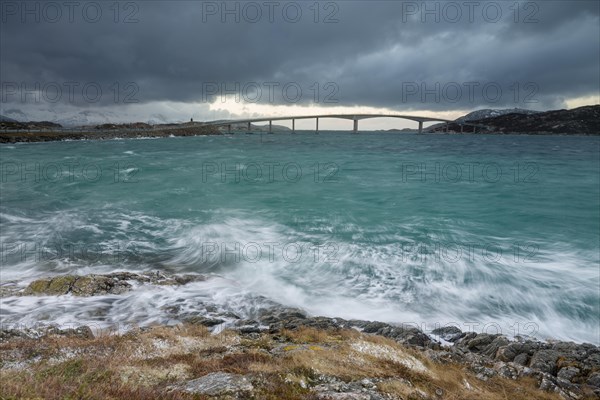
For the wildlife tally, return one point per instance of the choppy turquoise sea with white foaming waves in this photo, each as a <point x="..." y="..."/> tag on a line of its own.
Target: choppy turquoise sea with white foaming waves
<point x="487" y="232"/>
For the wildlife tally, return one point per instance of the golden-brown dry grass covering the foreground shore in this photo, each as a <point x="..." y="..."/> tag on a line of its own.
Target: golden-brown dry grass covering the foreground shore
<point x="142" y="364"/>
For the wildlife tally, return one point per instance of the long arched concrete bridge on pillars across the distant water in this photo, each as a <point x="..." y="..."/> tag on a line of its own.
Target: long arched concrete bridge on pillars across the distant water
<point x="353" y="117"/>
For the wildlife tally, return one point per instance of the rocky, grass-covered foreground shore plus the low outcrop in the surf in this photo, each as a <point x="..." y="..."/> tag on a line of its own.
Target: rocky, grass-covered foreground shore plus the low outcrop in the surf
<point x="307" y="356"/>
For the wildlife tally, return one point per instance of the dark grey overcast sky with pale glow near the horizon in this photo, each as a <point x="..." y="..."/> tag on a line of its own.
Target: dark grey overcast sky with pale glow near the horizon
<point x="159" y="60"/>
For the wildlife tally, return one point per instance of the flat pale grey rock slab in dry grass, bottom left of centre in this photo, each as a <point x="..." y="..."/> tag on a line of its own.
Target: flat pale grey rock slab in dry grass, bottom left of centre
<point x="217" y="384"/>
